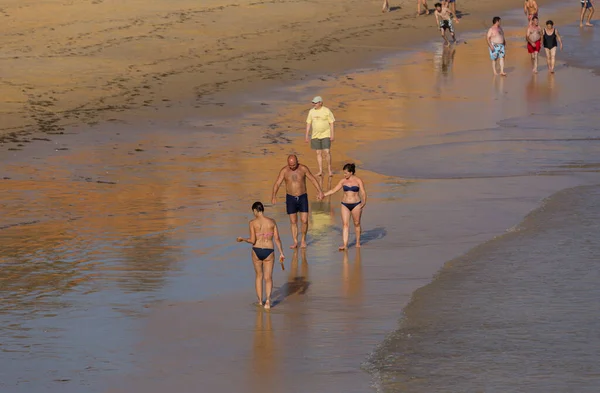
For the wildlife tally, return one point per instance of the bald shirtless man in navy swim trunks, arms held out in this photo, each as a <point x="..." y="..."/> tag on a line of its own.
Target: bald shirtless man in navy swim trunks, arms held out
<point x="296" y="200"/>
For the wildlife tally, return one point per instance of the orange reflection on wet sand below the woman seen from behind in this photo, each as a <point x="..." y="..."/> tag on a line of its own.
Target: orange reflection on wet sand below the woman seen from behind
<point x="264" y="371"/>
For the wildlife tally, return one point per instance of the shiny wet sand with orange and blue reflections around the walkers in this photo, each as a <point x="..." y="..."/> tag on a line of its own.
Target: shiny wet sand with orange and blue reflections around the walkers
<point x="143" y="225"/>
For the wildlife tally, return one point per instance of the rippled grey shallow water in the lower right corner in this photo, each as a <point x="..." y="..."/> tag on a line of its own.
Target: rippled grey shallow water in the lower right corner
<point x="516" y="314"/>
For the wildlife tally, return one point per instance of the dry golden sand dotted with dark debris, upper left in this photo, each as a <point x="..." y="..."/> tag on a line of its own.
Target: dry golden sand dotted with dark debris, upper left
<point x="82" y="62"/>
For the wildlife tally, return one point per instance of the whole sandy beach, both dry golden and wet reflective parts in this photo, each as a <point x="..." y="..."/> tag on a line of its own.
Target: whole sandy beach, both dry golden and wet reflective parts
<point x="118" y="235"/>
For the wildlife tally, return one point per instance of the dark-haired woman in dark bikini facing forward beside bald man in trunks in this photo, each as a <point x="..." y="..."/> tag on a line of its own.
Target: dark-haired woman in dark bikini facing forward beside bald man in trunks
<point x="353" y="202"/>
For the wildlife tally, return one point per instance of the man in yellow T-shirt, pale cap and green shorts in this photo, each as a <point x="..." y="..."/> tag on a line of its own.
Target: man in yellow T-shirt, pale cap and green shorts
<point x="320" y="120"/>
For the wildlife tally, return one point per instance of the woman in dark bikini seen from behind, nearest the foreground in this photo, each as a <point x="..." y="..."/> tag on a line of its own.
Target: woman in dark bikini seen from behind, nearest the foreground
<point x="262" y="232"/>
